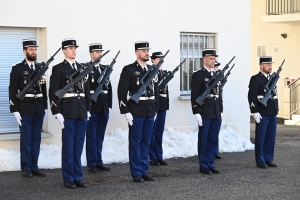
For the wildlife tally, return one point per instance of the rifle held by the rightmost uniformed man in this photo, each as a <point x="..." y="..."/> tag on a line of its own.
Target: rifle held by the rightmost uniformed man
<point x="271" y="86"/>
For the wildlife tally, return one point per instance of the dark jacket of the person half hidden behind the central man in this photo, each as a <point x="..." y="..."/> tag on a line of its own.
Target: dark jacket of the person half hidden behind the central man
<point x="163" y="103"/>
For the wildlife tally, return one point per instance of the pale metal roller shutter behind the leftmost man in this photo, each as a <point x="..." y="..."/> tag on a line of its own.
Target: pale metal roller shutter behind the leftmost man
<point x="11" y="52"/>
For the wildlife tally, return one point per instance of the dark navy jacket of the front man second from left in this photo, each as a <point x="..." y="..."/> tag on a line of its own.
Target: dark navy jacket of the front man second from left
<point x="72" y="107"/>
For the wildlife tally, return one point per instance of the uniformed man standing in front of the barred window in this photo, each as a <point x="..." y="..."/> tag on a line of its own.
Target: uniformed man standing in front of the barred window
<point x="208" y="114"/>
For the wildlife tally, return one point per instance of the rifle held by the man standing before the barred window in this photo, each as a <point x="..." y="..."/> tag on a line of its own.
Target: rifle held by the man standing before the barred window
<point x="212" y="83"/>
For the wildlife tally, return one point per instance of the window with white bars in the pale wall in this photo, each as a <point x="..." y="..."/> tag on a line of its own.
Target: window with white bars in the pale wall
<point x="191" y="46"/>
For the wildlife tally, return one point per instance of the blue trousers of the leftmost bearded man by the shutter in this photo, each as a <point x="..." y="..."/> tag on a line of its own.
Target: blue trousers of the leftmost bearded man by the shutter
<point x="30" y="141"/>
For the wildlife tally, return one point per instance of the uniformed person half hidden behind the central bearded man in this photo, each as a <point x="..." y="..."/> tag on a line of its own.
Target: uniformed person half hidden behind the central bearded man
<point x="156" y="151"/>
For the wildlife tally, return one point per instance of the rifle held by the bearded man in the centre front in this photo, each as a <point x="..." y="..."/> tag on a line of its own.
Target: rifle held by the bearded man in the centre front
<point x="150" y="74"/>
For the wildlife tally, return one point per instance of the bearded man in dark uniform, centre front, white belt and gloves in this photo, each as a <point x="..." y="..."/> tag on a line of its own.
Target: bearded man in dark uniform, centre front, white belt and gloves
<point x="140" y="116"/>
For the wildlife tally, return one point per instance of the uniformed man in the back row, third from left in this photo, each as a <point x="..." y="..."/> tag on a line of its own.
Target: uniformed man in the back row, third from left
<point x="99" y="114"/>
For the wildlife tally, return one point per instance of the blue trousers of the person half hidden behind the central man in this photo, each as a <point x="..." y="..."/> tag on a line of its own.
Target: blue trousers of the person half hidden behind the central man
<point x="156" y="151"/>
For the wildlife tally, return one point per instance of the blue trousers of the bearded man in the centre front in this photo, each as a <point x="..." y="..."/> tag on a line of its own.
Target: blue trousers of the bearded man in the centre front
<point x="139" y="141"/>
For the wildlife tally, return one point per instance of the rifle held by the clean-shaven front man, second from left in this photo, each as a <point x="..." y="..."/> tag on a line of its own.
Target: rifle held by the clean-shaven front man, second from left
<point x="82" y="72"/>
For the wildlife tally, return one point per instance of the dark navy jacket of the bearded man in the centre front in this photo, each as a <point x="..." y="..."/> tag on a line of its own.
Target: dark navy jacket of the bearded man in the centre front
<point x="129" y="83"/>
